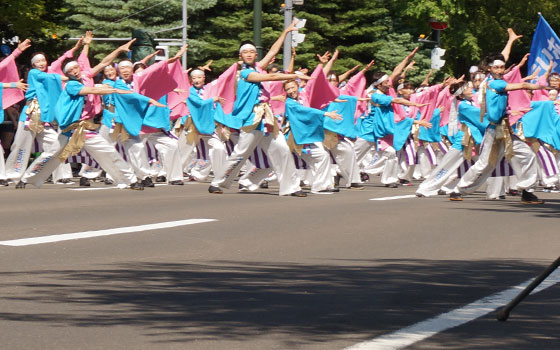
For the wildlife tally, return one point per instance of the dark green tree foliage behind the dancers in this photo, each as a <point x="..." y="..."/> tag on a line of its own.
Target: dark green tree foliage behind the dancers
<point x="360" y="29"/>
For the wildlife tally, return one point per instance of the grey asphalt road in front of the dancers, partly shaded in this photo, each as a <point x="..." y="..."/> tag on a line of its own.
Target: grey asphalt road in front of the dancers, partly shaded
<point x="322" y="272"/>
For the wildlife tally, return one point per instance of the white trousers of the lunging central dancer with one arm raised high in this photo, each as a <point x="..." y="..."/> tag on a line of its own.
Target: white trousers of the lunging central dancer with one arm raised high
<point x="277" y="152"/>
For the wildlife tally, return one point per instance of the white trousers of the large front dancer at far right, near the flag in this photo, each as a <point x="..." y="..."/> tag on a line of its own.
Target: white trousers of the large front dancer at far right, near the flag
<point x="524" y="165"/>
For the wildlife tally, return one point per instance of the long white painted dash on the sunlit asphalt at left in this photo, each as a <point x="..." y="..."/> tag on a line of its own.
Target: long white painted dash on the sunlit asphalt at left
<point x="108" y="232"/>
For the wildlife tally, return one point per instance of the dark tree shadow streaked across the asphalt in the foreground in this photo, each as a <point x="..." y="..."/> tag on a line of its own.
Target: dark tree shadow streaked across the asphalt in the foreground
<point x="238" y="300"/>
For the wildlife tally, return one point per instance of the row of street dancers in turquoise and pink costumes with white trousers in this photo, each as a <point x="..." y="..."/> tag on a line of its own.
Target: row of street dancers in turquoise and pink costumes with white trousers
<point x="141" y="124"/>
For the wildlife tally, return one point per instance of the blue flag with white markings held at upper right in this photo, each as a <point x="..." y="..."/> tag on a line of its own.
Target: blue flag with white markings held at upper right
<point x="545" y="49"/>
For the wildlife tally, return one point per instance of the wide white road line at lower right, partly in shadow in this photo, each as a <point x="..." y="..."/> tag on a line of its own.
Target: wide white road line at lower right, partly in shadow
<point x="425" y="329"/>
